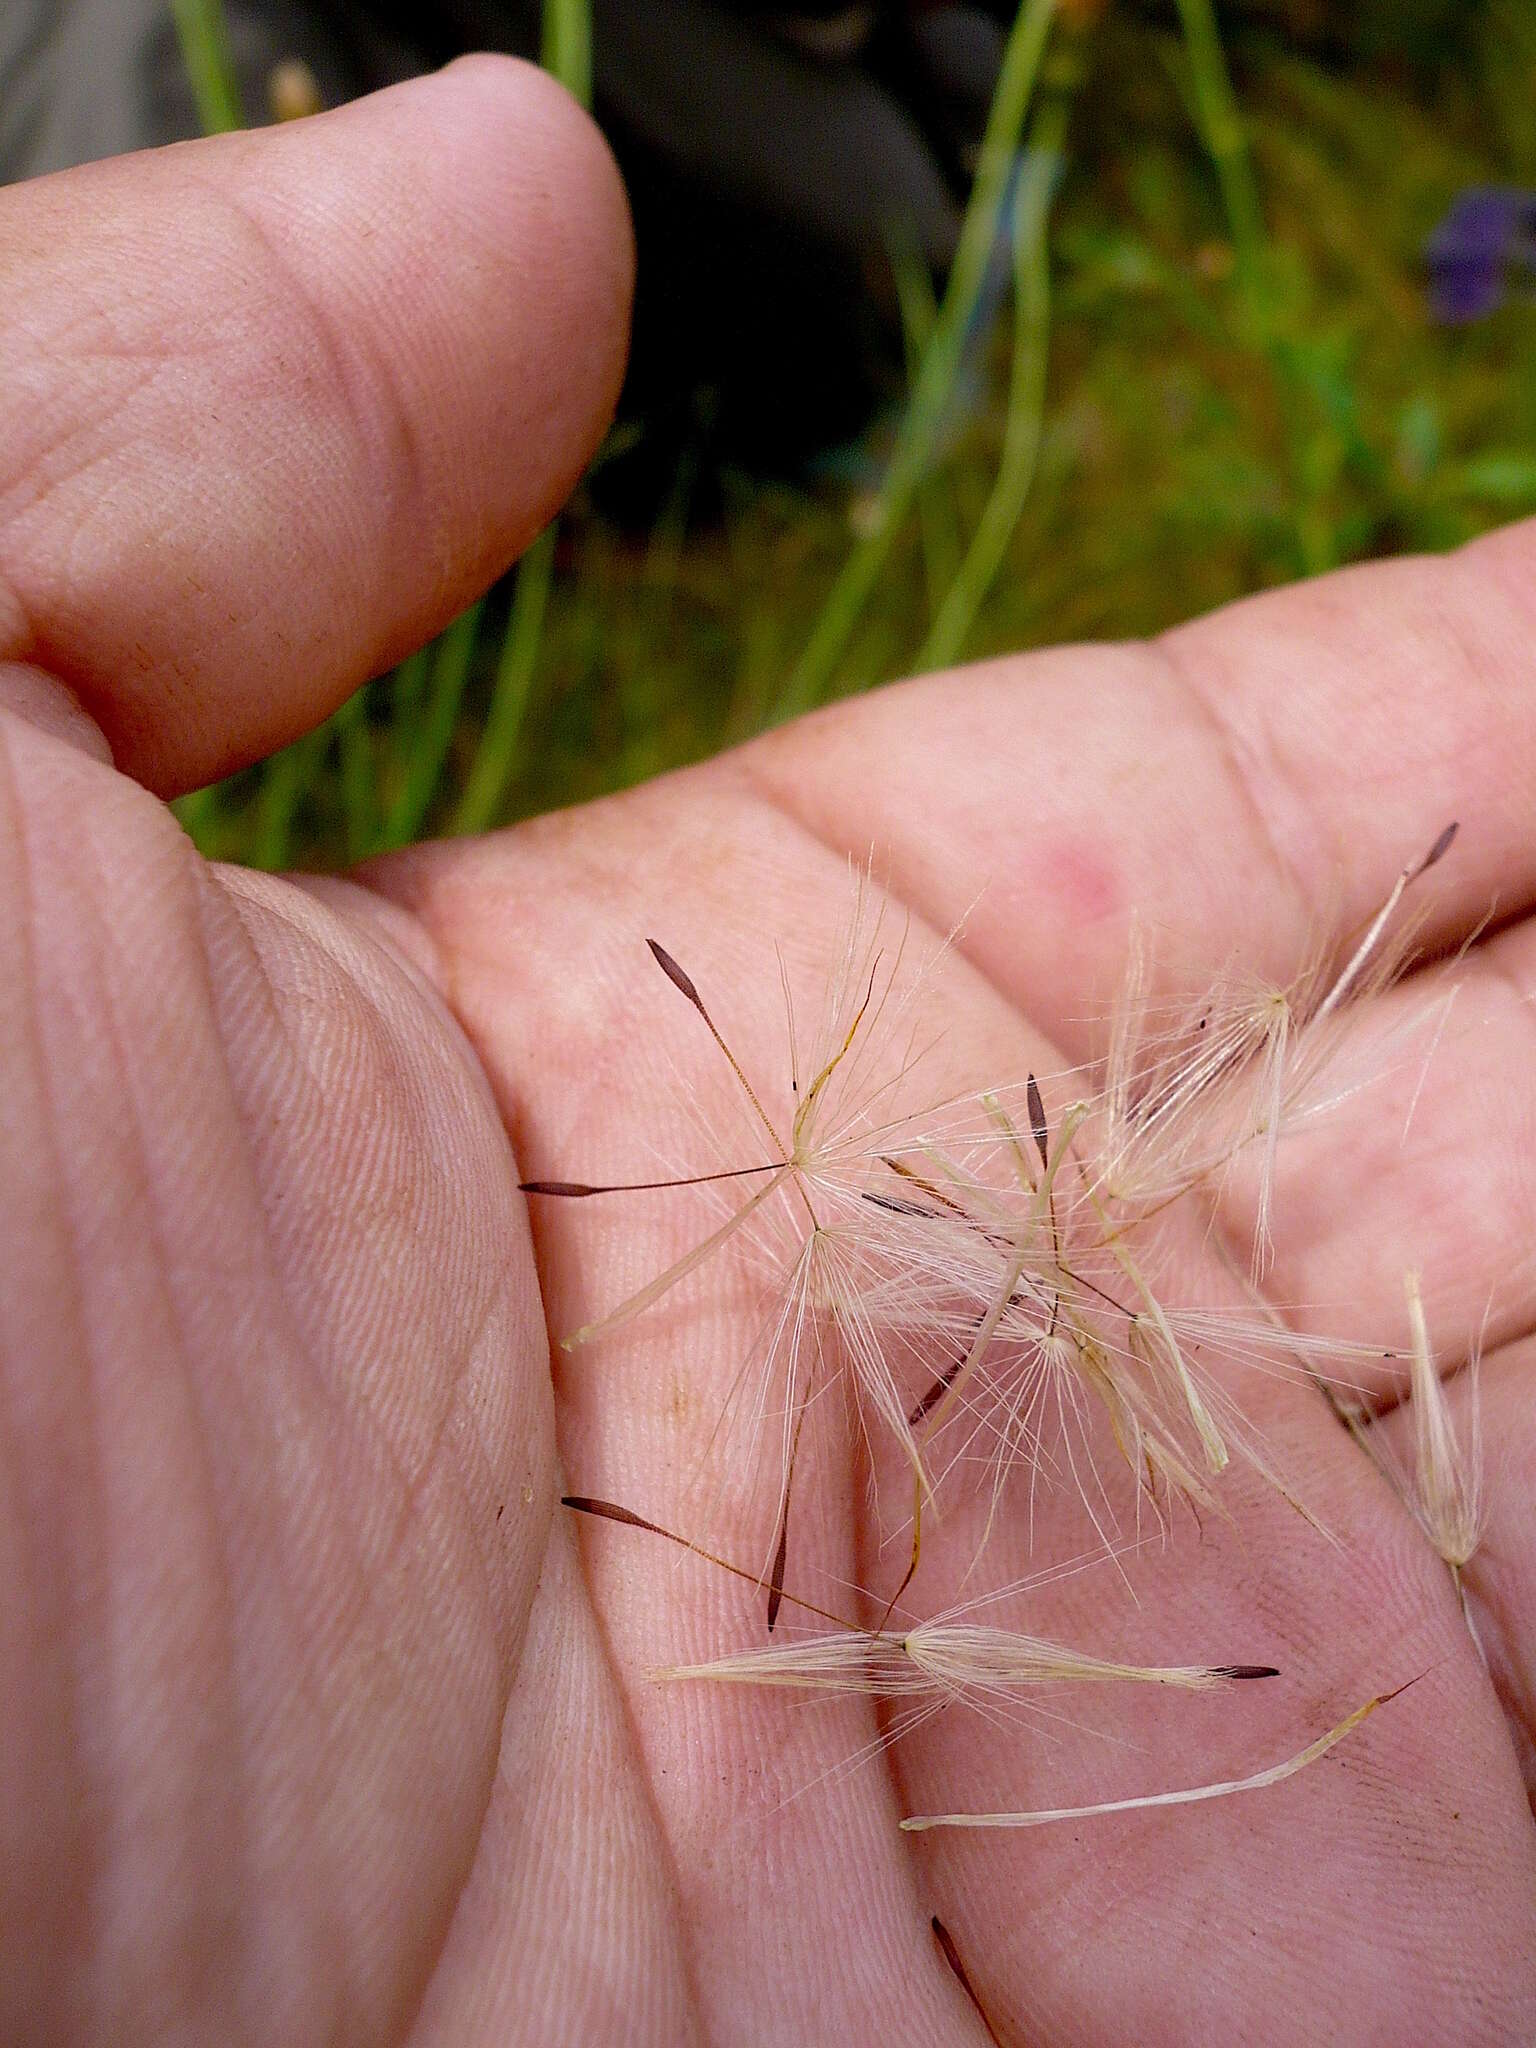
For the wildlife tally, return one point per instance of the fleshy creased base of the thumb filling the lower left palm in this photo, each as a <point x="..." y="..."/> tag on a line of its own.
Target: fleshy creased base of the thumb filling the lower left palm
<point x="275" y="1439"/>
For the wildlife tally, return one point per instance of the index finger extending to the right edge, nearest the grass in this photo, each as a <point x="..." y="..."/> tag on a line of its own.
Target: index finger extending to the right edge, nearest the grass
<point x="1240" y="783"/>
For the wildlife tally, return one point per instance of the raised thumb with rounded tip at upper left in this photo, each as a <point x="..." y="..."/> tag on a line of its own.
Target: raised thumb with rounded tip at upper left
<point x="278" y="404"/>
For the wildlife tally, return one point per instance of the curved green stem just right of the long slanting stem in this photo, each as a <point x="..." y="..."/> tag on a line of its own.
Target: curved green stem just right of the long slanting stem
<point x="1025" y="398"/>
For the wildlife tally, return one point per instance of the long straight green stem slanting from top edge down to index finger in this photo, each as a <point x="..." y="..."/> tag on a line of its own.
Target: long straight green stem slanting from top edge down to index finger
<point x="941" y="366"/>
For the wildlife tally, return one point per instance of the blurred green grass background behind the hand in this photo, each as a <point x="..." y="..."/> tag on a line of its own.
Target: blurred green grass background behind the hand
<point x="1215" y="374"/>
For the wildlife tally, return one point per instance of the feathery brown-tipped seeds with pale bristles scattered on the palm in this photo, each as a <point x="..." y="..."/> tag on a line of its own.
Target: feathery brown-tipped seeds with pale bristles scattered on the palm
<point x="998" y="1281"/>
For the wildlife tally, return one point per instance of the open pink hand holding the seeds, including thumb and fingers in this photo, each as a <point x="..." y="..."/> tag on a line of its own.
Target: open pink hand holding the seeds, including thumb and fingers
<point x="323" y="1721"/>
